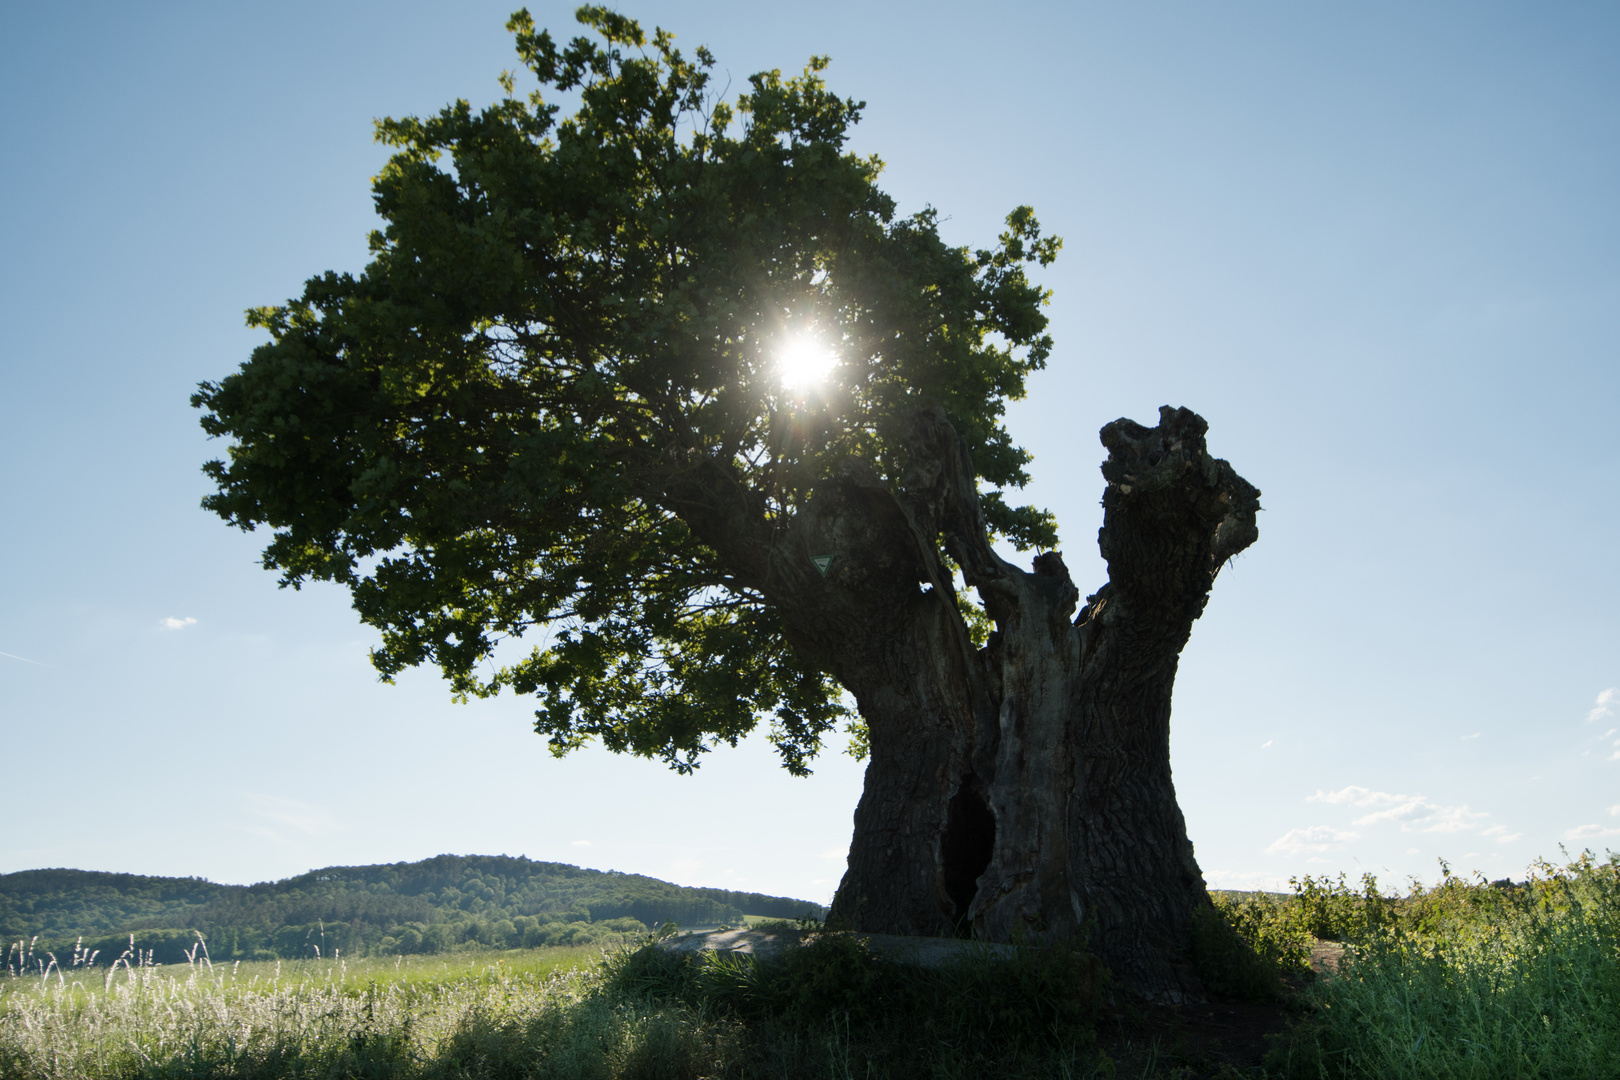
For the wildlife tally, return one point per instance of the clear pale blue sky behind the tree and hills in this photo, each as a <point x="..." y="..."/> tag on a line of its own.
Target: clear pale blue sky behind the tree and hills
<point x="1376" y="247"/>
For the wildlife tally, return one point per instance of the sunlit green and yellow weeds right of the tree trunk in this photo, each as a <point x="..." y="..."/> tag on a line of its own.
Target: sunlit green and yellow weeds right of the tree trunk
<point x="1467" y="980"/>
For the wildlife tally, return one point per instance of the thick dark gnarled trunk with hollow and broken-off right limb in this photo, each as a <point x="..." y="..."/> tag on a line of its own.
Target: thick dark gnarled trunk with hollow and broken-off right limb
<point x="1021" y="789"/>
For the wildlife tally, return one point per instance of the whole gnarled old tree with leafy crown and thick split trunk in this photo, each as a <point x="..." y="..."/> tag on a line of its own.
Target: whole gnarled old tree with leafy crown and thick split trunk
<point x="668" y="386"/>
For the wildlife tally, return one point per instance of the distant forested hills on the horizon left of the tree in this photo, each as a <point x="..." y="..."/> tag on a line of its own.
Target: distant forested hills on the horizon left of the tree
<point x="441" y="904"/>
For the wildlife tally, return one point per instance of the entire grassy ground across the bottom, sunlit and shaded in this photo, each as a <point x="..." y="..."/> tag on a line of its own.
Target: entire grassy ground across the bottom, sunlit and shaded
<point x="1467" y="980"/>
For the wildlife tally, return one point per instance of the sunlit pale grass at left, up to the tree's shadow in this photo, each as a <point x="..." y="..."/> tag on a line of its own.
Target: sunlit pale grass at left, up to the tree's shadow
<point x="281" y="1019"/>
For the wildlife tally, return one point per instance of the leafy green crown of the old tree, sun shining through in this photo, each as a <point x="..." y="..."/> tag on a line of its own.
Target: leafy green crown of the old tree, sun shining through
<point x="566" y="317"/>
